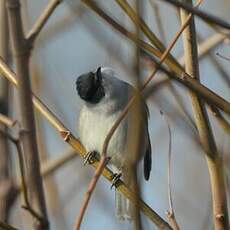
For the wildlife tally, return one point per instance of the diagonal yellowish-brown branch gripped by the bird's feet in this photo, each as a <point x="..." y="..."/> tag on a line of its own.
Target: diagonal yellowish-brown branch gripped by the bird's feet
<point x="75" y="143"/>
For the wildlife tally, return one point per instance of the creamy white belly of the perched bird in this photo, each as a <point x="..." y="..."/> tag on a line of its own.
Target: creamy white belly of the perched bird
<point x="93" y="131"/>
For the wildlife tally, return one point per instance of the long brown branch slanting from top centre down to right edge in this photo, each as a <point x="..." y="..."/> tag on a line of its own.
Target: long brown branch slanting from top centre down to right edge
<point x="180" y="75"/>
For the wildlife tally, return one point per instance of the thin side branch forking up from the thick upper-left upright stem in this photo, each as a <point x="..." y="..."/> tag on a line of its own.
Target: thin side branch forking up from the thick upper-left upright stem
<point x="41" y="21"/>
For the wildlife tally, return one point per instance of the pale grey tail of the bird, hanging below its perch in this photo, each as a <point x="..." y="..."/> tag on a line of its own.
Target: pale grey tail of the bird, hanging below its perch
<point x="124" y="207"/>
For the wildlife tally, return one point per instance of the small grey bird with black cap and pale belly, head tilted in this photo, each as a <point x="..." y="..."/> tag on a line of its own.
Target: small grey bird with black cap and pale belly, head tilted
<point x="104" y="98"/>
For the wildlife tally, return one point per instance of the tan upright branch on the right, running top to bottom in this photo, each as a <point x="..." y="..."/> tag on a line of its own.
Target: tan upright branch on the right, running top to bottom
<point x="213" y="159"/>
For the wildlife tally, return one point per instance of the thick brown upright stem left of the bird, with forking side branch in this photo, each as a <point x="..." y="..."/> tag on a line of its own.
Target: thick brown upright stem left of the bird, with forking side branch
<point x="21" y="51"/>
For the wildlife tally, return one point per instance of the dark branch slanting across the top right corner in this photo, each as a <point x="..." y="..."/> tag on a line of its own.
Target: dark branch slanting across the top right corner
<point x="200" y="13"/>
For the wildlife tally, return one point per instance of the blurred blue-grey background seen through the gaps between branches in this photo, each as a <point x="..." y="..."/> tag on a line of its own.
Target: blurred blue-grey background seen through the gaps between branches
<point x="76" y="40"/>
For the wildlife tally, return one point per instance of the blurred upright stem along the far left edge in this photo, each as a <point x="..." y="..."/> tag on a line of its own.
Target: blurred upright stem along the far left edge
<point x="7" y="188"/>
